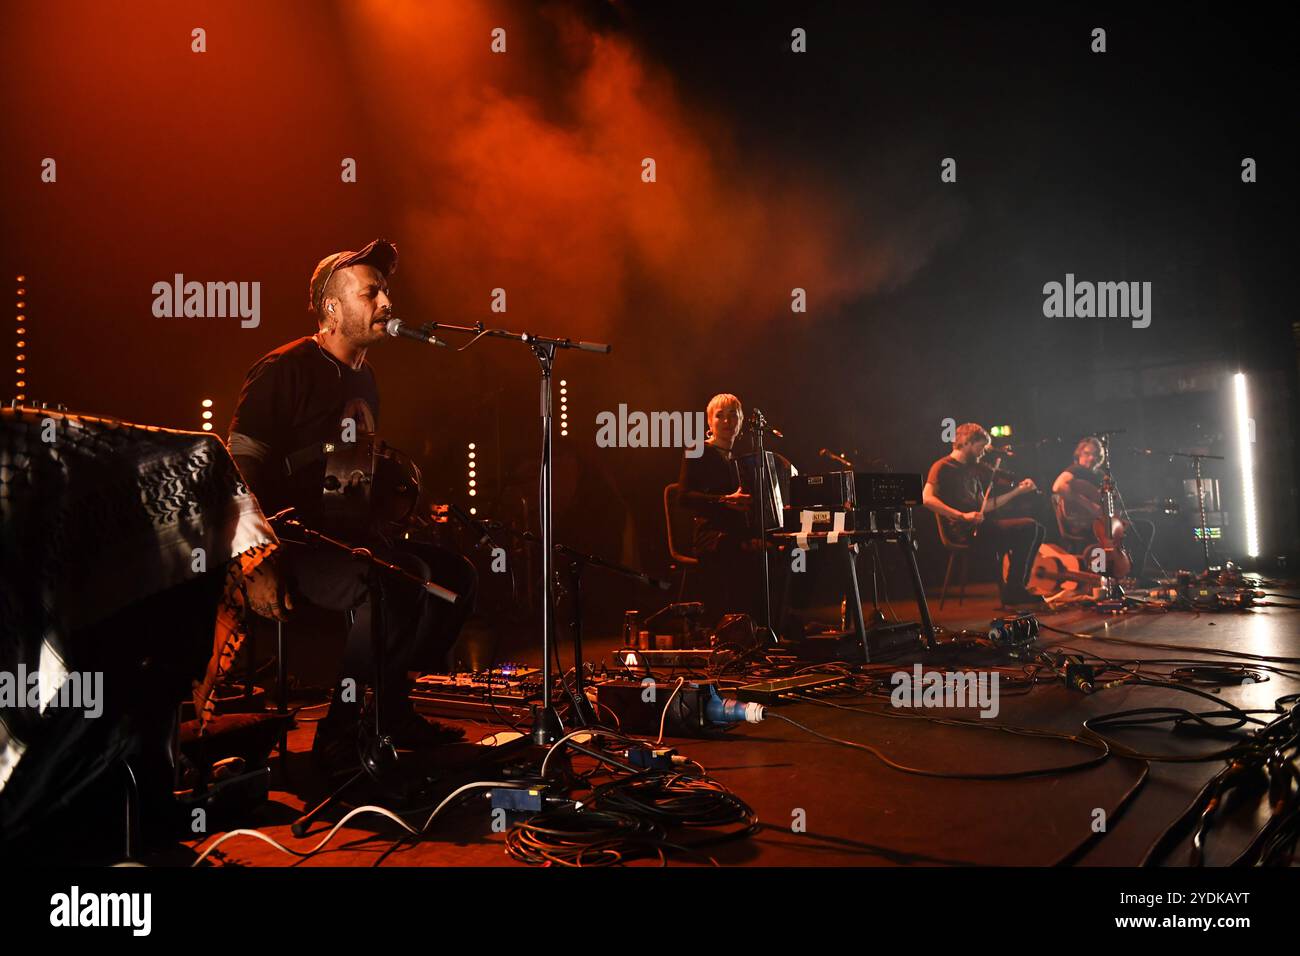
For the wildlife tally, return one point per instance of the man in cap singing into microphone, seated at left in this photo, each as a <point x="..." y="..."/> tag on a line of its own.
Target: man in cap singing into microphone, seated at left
<point x="310" y="392"/>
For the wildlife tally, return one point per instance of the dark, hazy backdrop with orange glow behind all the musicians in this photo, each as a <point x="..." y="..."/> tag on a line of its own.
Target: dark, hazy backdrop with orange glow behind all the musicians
<point x="775" y="170"/>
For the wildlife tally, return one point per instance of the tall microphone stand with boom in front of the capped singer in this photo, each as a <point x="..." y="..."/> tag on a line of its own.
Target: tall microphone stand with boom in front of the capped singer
<point x="547" y="721"/>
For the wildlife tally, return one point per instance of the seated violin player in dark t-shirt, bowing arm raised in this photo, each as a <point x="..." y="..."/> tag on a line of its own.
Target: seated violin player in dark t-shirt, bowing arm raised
<point x="961" y="491"/>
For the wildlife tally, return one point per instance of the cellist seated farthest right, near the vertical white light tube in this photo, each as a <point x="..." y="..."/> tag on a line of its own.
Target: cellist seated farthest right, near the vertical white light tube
<point x="1081" y="488"/>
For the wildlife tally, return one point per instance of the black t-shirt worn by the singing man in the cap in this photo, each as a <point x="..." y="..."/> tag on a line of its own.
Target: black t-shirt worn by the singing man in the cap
<point x="294" y="400"/>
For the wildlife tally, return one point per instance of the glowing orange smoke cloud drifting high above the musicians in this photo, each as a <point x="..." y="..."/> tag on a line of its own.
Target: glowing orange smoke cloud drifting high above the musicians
<point x="526" y="172"/>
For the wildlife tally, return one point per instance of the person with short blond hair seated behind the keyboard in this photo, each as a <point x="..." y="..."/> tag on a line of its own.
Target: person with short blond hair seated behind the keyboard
<point x="725" y="543"/>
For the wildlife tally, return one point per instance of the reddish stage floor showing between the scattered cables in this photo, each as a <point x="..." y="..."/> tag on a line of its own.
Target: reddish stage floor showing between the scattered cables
<point x="856" y="811"/>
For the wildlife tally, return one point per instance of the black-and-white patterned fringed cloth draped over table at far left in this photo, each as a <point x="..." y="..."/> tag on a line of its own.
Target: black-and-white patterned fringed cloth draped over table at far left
<point x="98" y="516"/>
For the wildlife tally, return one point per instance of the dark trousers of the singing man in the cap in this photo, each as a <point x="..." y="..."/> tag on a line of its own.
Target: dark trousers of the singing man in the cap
<point x="418" y="628"/>
